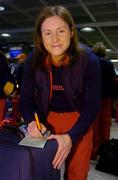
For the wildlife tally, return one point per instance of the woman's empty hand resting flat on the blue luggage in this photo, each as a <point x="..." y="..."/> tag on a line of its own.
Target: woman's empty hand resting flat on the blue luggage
<point x="64" y="147"/>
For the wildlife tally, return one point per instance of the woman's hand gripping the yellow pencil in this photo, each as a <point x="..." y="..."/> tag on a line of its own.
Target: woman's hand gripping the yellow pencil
<point x="33" y="130"/>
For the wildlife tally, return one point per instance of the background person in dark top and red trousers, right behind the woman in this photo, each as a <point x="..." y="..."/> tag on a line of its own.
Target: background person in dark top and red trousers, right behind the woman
<point x="101" y="130"/>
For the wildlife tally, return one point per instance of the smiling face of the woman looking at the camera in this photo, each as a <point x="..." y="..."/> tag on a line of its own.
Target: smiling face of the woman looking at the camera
<point x="56" y="36"/>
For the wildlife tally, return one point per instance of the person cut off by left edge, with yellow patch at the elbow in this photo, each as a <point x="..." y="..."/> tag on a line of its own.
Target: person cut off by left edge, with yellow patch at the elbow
<point x="6" y="83"/>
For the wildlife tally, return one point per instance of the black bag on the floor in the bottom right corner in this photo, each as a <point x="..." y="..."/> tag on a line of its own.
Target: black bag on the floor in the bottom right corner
<point x="108" y="161"/>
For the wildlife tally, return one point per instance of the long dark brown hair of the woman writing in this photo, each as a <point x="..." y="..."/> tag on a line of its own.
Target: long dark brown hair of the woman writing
<point x="40" y="52"/>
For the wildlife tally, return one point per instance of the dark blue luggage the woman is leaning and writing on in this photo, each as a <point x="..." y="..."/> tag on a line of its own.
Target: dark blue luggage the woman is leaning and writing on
<point x="25" y="163"/>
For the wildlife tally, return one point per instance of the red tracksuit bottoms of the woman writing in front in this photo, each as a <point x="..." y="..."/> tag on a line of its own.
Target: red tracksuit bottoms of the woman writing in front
<point x="78" y="161"/>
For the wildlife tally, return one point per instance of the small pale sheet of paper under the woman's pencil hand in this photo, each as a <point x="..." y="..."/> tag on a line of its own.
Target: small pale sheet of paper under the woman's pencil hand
<point x="33" y="142"/>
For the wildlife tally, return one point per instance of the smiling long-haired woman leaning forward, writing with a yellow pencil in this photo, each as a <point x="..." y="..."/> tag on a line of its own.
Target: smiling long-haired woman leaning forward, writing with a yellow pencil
<point x="62" y="84"/>
